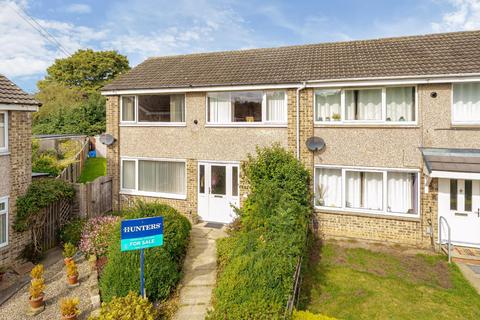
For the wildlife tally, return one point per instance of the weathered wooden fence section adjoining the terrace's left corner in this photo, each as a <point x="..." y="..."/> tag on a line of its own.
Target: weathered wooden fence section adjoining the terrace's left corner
<point x="93" y="198"/>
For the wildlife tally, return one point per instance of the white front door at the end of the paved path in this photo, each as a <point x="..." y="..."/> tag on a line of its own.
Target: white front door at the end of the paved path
<point x="217" y="191"/>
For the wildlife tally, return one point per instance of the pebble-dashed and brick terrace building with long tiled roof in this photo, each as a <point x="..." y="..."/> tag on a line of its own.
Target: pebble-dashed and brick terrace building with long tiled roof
<point x="400" y="118"/>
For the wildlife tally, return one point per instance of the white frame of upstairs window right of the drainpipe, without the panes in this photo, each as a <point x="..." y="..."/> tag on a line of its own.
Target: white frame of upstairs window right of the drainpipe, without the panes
<point x="383" y="121"/>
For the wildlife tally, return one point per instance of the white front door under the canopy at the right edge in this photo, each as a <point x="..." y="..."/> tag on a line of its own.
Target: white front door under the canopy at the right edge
<point x="459" y="204"/>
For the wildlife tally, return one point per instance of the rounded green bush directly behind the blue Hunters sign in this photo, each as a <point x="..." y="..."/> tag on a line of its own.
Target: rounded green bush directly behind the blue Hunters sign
<point x="162" y="264"/>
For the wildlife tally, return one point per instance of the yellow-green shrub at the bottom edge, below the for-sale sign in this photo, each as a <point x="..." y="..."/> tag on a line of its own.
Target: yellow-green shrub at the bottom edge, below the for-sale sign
<point x="130" y="307"/>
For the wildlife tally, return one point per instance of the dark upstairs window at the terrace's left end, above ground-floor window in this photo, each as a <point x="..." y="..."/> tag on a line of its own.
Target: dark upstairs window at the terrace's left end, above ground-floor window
<point x="150" y="109"/>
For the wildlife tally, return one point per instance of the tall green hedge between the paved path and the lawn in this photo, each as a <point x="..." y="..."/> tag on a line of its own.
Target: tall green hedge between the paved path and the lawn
<point x="258" y="260"/>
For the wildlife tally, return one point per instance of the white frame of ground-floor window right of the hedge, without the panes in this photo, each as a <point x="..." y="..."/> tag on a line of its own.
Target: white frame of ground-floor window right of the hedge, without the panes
<point x="384" y="171"/>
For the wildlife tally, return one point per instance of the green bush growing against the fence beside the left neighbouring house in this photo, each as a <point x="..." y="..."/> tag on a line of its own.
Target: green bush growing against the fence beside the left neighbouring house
<point x="39" y="195"/>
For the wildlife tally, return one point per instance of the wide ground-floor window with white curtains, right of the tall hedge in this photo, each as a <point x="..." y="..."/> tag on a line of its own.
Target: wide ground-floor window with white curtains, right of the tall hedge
<point x="370" y="190"/>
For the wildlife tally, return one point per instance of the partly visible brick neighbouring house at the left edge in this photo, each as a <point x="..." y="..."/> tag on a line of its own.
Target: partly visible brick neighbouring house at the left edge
<point x="16" y="109"/>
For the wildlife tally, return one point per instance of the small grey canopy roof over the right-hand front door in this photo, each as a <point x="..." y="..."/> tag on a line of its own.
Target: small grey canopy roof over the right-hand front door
<point x="453" y="160"/>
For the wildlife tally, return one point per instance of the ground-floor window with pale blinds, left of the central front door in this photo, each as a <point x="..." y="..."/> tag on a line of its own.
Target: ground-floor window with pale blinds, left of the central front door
<point x="152" y="177"/>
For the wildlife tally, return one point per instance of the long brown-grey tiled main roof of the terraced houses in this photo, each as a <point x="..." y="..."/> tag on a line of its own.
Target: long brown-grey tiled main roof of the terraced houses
<point x="434" y="54"/>
